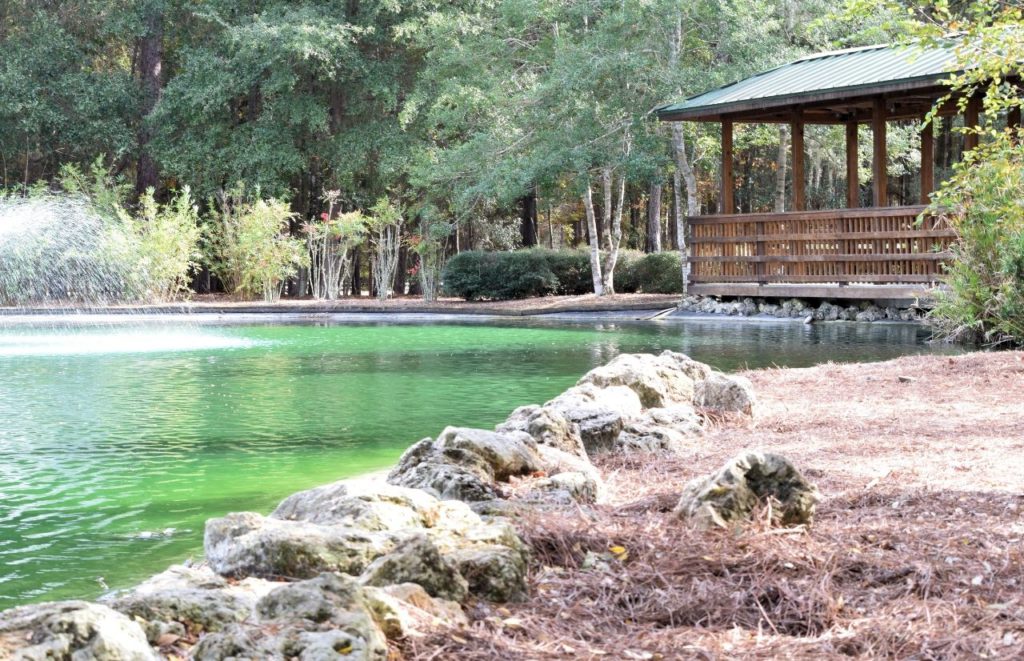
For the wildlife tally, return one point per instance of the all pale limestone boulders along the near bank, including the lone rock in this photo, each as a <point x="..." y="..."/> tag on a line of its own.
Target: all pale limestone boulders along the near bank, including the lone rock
<point x="336" y="571"/>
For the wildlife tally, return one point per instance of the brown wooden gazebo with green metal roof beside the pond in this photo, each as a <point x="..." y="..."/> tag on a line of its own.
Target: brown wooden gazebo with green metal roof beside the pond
<point x="882" y="252"/>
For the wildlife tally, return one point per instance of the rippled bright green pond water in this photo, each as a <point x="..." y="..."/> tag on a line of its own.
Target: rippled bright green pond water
<point x="119" y="442"/>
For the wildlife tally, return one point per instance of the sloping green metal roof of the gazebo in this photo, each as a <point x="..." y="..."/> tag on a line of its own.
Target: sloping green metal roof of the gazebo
<point x="824" y="77"/>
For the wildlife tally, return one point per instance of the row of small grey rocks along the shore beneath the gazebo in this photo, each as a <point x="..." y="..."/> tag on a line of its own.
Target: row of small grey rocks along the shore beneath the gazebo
<point x="798" y="310"/>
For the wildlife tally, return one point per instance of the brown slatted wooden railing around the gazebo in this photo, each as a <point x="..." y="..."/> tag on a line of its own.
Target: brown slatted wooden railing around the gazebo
<point x="877" y="246"/>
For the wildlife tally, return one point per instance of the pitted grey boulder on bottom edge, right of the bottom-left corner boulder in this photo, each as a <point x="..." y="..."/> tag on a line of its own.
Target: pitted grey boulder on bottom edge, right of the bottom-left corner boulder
<point x="327" y="618"/>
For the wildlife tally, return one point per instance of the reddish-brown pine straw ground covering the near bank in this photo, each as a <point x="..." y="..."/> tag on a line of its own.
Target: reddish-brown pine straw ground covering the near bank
<point x="916" y="553"/>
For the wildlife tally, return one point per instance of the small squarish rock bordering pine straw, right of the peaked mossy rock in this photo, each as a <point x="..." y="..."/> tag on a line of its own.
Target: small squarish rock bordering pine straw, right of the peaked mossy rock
<point x="496" y="574"/>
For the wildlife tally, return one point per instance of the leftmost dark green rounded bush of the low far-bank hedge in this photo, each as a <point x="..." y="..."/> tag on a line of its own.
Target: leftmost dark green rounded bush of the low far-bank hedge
<point x="477" y="275"/>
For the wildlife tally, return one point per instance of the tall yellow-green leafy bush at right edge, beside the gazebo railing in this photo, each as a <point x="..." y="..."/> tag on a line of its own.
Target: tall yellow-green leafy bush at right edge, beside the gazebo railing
<point x="983" y="203"/>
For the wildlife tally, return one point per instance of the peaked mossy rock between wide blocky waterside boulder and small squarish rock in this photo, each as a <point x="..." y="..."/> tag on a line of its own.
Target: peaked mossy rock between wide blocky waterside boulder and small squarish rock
<point x="418" y="560"/>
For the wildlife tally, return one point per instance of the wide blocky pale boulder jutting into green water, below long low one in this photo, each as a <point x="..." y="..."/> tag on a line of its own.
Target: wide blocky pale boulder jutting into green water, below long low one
<point x="249" y="545"/>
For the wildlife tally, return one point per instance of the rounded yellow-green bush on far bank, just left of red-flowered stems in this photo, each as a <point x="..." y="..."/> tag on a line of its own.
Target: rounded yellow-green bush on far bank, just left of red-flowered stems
<point x="248" y="245"/>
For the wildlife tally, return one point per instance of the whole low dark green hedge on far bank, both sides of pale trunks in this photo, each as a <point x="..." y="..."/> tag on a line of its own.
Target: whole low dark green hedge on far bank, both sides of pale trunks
<point x="476" y="275"/>
